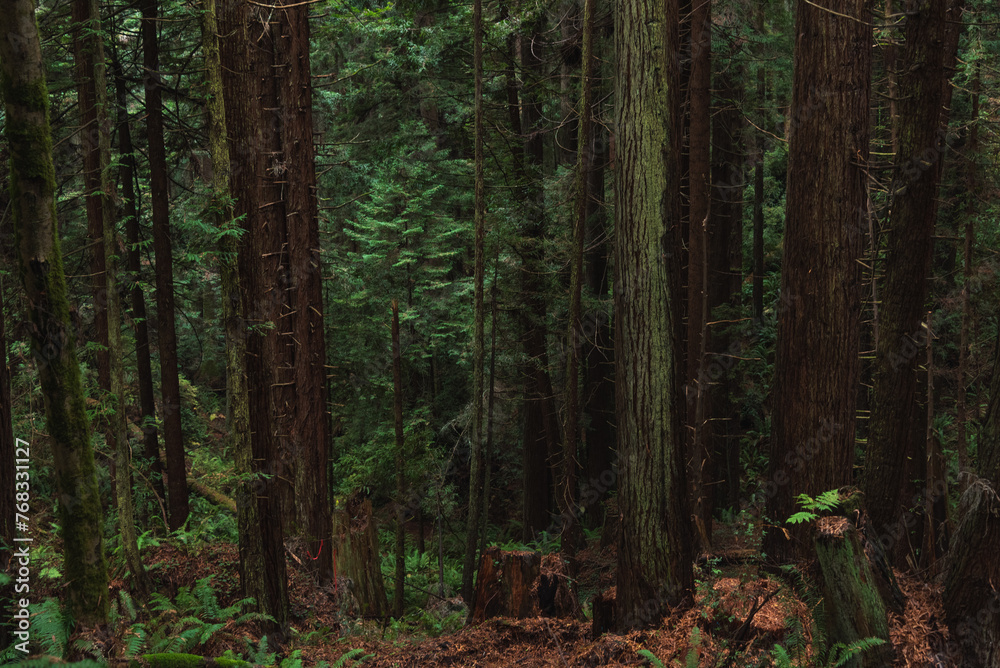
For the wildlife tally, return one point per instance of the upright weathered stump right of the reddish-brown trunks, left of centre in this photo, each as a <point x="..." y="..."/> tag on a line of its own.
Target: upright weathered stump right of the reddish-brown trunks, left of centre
<point x="355" y="542"/>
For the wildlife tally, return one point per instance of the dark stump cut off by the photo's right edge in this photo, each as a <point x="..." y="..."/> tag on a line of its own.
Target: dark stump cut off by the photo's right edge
<point x="972" y="587"/>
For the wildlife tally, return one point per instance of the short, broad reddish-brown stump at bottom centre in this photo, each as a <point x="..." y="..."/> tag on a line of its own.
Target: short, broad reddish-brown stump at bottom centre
<point x="520" y="583"/>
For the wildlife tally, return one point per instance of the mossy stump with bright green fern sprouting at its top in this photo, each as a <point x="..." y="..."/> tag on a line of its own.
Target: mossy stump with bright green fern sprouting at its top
<point x="852" y="607"/>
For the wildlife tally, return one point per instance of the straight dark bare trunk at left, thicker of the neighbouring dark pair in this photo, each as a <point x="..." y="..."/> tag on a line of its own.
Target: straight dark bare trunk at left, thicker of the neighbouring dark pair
<point x="173" y="437"/>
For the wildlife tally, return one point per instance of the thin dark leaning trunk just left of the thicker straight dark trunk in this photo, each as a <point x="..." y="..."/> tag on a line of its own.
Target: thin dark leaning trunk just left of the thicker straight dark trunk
<point x="143" y="361"/>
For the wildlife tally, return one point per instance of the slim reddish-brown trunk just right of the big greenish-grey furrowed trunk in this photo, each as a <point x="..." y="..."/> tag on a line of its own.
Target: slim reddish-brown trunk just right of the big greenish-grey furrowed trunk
<point x="698" y="432"/>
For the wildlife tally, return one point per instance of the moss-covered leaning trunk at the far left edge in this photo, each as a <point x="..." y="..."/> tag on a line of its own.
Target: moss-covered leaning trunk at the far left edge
<point x="53" y="343"/>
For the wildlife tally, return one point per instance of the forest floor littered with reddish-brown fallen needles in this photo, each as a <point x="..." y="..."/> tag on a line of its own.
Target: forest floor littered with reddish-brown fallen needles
<point x="740" y="615"/>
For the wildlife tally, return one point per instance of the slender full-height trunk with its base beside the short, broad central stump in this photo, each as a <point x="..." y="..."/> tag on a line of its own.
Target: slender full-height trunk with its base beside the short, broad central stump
<point x="476" y="465"/>
